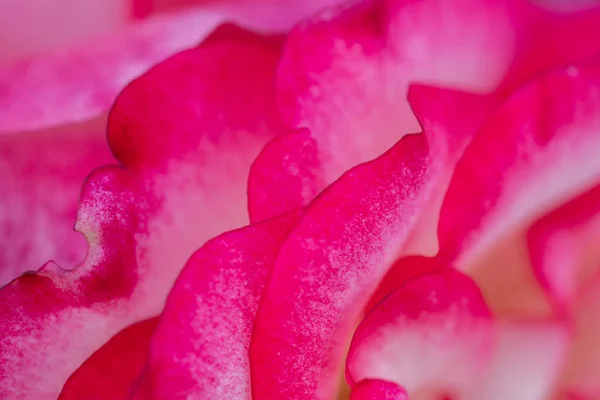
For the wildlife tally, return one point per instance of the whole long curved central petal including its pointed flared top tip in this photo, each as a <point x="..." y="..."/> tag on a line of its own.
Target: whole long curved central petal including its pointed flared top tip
<point x="342" y="247"/>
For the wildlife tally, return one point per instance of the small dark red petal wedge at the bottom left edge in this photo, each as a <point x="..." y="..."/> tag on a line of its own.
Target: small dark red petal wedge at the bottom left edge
<point x="112" y="369"/>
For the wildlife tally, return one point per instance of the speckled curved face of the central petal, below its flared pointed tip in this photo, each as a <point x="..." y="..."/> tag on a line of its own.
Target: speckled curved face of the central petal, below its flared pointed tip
<point x="326" y="269"/>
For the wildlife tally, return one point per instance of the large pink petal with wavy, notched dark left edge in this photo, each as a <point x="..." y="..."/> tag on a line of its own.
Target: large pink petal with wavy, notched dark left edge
<point x="186" y="133"/>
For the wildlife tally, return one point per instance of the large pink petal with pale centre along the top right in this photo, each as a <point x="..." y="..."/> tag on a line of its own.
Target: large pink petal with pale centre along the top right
<point x="345" y="74"/>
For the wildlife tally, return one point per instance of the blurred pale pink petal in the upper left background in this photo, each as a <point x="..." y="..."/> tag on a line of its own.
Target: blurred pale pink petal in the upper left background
<point x="81" y="83"/>
